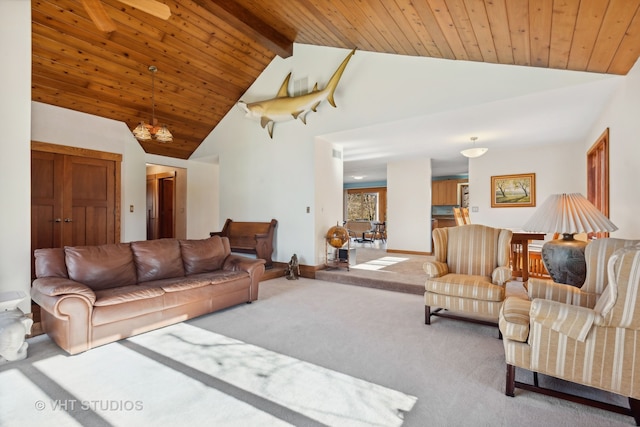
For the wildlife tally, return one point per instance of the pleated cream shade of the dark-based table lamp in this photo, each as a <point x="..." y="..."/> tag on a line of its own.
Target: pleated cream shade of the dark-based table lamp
<point x="568" y="214"/>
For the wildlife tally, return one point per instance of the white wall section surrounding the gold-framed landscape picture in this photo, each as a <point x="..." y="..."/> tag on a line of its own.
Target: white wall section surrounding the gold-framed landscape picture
<point x="558" y="169"/>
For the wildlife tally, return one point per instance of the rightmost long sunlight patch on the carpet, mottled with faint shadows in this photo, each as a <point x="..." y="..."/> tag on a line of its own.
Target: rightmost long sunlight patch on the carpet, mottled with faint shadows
<point x="324" y="395"/>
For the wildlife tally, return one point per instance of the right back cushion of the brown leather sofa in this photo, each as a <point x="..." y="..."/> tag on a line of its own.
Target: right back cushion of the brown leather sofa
<point x="203" y="256"/>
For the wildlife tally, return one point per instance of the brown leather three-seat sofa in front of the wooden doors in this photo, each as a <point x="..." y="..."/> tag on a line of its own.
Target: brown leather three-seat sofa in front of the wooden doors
<point x="93" y="295"/>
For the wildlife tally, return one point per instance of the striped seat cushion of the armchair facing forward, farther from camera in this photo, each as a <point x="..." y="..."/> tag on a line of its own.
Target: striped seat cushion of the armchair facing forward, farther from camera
<point x="465" y="286"/>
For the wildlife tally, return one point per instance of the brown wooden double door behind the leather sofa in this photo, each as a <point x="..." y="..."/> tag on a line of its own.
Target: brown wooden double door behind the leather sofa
<point x="74" y="198"/>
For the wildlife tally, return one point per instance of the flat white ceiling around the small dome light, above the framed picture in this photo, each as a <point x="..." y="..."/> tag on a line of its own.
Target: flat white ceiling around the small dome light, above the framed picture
<point x="551" y="117"/>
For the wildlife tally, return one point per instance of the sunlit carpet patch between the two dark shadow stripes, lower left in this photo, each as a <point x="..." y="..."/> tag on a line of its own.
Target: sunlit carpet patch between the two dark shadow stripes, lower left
<point x="126" y="388"/>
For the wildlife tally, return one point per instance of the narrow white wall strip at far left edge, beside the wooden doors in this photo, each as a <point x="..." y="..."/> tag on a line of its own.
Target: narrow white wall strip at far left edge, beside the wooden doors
<point x="15" y="158"/>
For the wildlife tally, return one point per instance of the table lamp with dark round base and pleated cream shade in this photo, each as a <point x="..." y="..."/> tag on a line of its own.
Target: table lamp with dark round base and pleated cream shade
<point x="567" y="214"/>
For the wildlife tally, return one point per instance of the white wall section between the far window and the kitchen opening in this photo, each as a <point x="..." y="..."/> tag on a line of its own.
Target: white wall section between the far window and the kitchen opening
<point x="409" y="205"/>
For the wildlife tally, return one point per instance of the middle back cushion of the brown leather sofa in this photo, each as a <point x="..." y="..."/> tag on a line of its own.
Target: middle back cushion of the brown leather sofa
<point x="157" y="259"/>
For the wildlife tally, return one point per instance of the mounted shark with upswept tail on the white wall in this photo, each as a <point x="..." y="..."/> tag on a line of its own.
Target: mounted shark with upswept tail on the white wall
<point x="284" y="107"/>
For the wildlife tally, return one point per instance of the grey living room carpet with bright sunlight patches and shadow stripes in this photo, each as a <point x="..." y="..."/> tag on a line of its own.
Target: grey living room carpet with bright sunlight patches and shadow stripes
<point x="454" y="370"/>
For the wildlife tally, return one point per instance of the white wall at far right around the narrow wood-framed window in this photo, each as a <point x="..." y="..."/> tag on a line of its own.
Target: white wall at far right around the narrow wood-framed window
<point x="622" y="119"/>
